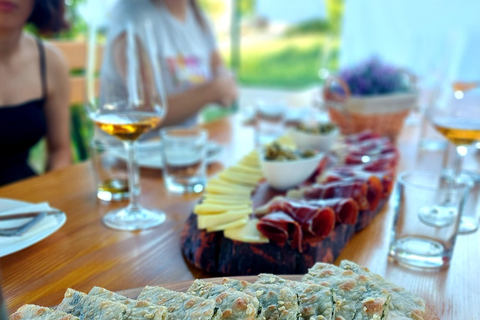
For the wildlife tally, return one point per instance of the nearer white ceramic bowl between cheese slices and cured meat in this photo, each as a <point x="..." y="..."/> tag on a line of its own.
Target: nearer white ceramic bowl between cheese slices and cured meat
<point x="284" y="175"/>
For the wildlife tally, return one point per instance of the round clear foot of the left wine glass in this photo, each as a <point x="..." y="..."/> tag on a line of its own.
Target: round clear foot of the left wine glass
<point x="134" y="218"/>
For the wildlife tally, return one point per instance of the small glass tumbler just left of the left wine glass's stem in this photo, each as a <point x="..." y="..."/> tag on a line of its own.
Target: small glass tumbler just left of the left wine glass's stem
<point x="109" y="169"/>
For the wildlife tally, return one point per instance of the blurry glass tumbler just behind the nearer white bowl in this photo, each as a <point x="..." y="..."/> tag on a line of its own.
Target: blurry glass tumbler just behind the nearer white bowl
<point x="269" y="121"/>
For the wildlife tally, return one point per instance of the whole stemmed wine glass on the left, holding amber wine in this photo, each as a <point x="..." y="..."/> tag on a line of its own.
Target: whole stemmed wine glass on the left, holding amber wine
<point x="127" y="102"/>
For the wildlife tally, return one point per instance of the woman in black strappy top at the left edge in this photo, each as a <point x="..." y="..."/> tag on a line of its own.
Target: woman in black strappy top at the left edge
<point x="34" y="88"/>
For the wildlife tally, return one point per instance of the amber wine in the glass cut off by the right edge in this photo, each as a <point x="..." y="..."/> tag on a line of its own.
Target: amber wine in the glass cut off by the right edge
<point x="459" y="131"/>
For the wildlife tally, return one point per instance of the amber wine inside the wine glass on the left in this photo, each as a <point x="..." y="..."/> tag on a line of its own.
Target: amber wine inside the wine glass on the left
<point x="127" y="125"/>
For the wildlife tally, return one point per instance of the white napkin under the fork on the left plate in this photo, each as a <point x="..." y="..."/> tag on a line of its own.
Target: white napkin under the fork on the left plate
<point x="46" y="223"/>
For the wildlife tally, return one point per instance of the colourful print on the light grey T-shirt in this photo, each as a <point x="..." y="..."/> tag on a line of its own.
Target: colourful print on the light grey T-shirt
<point x="186" y="71"/>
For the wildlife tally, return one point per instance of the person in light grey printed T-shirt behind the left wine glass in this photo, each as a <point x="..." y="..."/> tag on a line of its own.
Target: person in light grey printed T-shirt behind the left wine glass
<point x="193" y="71"/>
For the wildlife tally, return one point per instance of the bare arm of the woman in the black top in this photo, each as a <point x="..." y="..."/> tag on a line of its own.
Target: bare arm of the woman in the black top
<point x="57" y="110"/>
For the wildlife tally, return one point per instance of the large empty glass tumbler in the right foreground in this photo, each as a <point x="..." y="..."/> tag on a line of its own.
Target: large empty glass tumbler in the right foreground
<point x="427" y="215"/>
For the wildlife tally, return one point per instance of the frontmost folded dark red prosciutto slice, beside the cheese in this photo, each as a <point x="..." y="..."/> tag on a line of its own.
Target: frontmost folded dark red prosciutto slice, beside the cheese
<point x="280" y="227"/>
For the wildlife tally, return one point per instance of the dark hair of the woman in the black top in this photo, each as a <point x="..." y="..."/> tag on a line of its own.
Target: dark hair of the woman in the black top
<point x="48" y="16"/>
